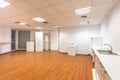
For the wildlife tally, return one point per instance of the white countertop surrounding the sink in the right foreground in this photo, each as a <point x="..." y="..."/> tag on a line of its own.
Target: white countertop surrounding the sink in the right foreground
<point x="111" y="63"/>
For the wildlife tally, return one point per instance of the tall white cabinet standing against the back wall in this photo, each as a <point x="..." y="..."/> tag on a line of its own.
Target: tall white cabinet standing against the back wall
<point x="38" y="41"/>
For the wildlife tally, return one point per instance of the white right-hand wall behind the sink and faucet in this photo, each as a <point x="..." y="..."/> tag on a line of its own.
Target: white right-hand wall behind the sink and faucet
<point x="110" y="28"/>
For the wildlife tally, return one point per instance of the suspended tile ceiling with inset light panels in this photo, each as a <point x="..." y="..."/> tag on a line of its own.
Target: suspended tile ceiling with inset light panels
<point x="55" y="12"/>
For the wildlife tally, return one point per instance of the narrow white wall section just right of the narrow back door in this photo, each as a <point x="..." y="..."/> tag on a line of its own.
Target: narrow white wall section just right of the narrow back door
<point x="54" y="39"/>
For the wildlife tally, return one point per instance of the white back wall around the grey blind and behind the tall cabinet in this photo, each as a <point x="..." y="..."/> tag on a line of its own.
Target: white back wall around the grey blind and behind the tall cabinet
<point x="53" y="37"/>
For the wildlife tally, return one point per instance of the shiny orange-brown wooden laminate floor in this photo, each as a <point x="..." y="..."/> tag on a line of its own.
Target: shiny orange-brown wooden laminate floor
<point x="50" y="65"/>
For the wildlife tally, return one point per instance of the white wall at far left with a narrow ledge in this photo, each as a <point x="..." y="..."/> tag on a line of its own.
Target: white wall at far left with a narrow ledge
<point x="5" y="37"/>
